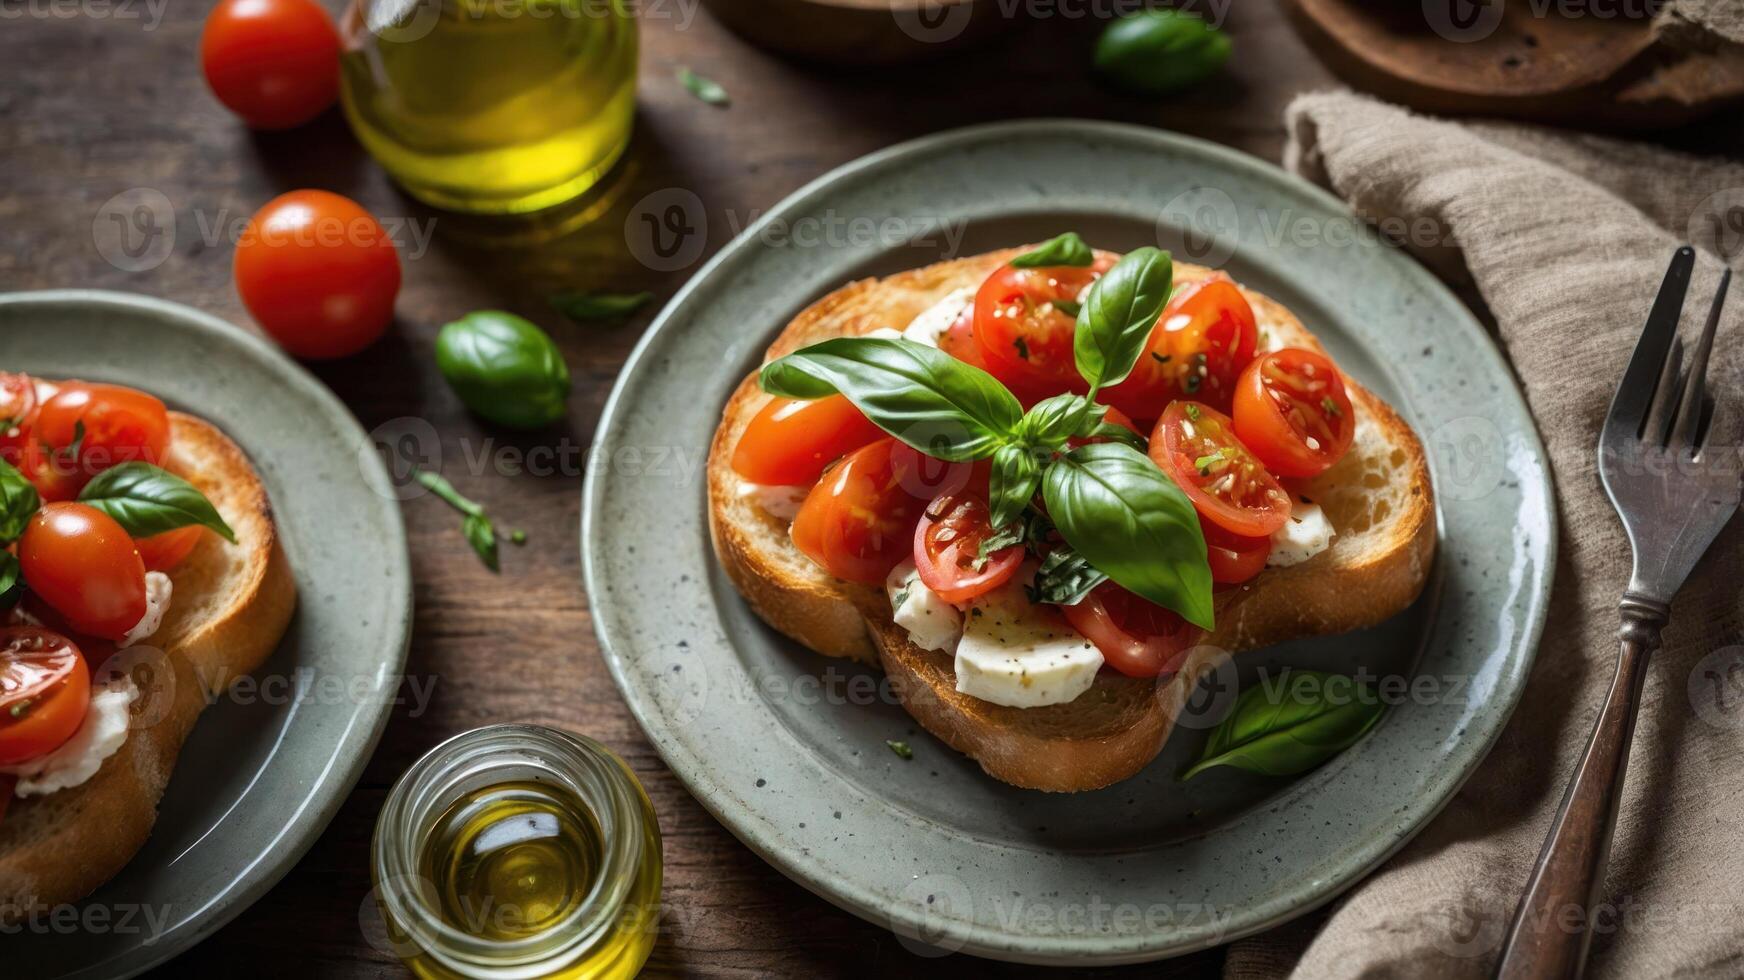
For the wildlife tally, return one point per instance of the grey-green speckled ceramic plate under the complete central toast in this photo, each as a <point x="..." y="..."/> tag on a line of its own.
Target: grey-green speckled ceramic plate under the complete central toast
<point x="787" y="749"/>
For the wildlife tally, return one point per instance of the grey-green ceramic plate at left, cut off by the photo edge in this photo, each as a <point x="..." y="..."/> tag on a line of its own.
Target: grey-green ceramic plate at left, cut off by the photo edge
<point x="269" y="765"/>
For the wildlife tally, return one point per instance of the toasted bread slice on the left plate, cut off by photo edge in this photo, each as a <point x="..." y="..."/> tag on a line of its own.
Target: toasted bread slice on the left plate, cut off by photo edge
<point x="228" y="613"/>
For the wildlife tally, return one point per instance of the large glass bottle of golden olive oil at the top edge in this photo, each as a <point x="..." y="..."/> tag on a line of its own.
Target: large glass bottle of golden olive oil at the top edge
<point x="493" y="107"/>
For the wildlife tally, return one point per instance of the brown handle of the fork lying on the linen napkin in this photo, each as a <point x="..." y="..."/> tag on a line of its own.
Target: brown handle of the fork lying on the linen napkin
<point x="1551" y="936"/>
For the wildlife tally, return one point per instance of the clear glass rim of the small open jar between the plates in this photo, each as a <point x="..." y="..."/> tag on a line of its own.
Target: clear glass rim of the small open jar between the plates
<point x="583" y="766"/>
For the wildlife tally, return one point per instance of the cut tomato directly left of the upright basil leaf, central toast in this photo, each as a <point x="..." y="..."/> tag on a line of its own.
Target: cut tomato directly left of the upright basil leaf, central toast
<point x="1021" y="330"/>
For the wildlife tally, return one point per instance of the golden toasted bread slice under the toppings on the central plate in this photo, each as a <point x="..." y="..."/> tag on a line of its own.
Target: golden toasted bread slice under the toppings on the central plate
<point x="1379" y="501"/>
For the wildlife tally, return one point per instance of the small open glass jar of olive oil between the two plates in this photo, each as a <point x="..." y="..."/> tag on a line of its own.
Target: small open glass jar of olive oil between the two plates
<point x="519" y="852"/>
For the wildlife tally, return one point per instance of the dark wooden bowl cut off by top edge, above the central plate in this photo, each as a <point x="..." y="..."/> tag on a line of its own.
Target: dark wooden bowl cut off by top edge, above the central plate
<point x="862" y="32"/>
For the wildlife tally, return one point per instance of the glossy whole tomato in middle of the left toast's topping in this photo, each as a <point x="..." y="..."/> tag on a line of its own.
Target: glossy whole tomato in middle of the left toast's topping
<point x="79" y="562"/>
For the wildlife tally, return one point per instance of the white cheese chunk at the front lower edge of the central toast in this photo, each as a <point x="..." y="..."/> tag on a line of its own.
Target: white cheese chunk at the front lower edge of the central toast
<point x="1019" y="655"/>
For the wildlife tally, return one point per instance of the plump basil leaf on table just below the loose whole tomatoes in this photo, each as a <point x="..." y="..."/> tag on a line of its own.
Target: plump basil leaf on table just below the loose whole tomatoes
<point x="505" y="369"/>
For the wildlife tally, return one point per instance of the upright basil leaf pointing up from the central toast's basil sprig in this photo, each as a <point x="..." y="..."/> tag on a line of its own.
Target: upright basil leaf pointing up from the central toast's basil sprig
<point x="1119" y="316"/>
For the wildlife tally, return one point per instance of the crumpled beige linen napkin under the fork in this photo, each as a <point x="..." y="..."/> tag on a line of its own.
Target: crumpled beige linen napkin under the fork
<point x="1565" y="238"/>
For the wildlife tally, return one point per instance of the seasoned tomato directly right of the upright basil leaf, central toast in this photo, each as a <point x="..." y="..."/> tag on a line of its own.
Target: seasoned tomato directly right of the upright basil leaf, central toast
<point x="1201" y="344"/>
